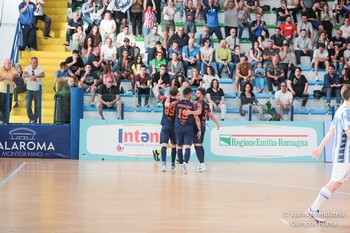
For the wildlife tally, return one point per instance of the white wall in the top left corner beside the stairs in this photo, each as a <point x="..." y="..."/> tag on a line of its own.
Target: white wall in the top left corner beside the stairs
<point x="8" y="27"/>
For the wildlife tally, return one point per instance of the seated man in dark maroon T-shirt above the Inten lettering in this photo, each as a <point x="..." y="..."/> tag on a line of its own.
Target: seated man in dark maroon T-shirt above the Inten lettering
<point x="143" y="84"/>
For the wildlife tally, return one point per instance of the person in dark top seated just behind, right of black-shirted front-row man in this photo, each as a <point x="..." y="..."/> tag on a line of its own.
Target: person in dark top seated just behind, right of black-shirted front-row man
<point x="124" y="70"/>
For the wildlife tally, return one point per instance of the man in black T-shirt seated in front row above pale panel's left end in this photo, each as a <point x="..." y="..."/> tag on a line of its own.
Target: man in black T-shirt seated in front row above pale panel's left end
<point x="109" y="97"/>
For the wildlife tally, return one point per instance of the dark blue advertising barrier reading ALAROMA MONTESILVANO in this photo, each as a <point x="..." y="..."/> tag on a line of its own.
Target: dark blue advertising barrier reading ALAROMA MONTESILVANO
<point x="34" y="141"/>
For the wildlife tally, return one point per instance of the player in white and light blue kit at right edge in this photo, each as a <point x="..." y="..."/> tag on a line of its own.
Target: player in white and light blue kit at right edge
<point x="340" y="129"/>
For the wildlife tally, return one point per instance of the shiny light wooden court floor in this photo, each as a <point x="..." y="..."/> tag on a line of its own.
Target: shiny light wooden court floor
<point x="114" y="196"/>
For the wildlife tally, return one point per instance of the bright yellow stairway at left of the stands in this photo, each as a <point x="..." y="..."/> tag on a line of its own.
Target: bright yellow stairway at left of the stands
<point x="50" y="54"/>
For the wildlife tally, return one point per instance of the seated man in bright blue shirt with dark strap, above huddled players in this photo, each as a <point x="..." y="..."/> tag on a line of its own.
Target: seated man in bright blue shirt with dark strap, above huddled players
<point x="191" y="56"/>
